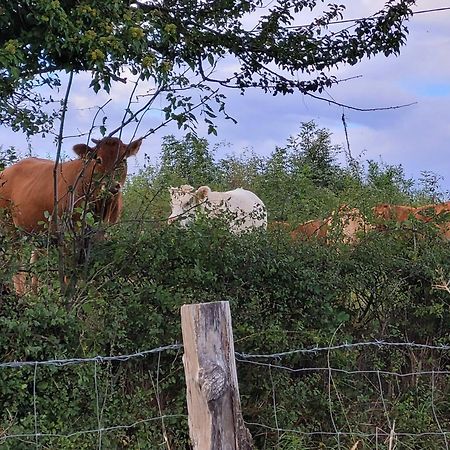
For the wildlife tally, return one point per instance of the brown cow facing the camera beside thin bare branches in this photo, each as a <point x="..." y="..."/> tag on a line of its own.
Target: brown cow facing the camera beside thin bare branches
<point x="94" y="179"/>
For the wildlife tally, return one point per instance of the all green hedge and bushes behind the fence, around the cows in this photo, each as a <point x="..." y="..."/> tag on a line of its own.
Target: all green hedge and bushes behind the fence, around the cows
<point x="283" y="295"/>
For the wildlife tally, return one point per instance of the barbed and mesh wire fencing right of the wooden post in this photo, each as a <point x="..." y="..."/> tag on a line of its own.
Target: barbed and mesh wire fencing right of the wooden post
<point x="344" y="428"/>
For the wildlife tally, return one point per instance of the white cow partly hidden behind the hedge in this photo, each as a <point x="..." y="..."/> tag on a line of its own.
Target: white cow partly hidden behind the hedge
<point x="243" y="209"/>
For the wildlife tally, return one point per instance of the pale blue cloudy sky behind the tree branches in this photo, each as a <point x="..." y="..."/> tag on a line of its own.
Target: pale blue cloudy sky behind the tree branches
<point x="417" y="137"/>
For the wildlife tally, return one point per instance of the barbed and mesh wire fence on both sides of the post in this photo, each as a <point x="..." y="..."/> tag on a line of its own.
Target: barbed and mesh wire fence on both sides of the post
<point x="252" y="359"/>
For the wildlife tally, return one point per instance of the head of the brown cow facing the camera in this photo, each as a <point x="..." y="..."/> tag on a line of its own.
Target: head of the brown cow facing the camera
<point x="108" y="160"/>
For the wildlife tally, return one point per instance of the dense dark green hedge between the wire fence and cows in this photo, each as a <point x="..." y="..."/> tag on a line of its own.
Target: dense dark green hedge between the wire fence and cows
<point x="283" y="296"/>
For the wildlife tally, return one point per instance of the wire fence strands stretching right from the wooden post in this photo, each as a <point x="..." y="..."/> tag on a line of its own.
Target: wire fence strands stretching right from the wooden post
<point x="356" y="434"/>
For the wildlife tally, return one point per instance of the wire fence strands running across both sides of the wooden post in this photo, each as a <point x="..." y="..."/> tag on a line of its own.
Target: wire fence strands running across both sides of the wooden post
<point x="380" y="437"/>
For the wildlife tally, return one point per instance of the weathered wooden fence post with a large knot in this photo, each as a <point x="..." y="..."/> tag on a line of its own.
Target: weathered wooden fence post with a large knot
<point x="214" y="407"/>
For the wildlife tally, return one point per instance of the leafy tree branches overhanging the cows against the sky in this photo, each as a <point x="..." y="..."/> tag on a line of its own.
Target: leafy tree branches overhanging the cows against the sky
<point x="178" y="45"/>
